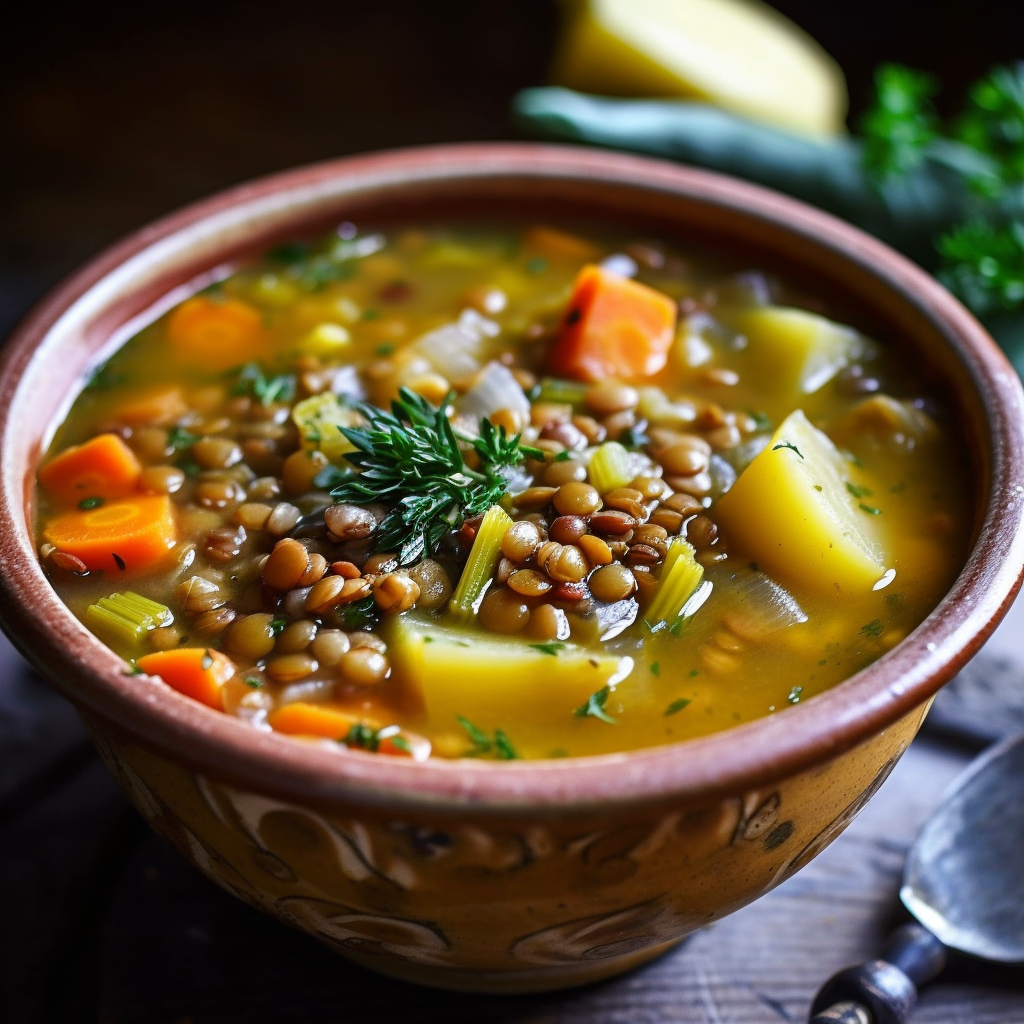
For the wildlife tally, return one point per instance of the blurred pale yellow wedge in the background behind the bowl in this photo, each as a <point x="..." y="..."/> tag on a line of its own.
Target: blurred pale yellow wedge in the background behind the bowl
<point x="739" y="55"/>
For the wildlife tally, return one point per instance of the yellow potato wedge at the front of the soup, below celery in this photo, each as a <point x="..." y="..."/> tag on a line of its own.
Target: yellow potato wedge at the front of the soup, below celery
<point x="496" y="682"/>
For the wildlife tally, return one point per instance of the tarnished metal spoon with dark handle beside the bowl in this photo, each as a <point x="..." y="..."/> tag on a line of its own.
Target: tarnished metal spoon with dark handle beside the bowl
<point x="965" y="884"/>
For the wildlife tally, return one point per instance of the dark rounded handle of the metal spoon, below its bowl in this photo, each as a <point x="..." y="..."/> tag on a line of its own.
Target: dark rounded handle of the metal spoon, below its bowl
<point x="882" y="992"/>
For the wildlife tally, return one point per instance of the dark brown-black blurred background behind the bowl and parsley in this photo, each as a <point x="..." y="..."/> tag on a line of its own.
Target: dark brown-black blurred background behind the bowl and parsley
<point x="109" y="120"/>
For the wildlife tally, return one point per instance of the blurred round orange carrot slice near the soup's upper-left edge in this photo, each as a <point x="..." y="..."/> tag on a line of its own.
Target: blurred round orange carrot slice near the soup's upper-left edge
<point x="218" y="334"/>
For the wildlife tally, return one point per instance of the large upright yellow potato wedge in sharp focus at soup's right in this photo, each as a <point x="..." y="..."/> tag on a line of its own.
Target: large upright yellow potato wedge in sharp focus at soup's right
<point x="802" y="513"/>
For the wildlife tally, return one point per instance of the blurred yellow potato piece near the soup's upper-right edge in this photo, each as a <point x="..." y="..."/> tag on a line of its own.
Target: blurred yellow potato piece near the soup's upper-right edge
<point x="797" y="351"/>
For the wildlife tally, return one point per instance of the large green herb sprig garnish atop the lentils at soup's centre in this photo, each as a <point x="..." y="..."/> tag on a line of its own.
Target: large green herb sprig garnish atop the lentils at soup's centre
<point x="412" y="459"/>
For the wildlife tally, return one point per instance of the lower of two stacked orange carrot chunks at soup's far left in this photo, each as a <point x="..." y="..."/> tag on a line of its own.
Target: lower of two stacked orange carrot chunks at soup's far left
<point x="126" y="536"/>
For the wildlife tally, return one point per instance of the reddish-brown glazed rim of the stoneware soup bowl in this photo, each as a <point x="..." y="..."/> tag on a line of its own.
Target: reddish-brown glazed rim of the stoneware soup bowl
<point x="743" y="758"/>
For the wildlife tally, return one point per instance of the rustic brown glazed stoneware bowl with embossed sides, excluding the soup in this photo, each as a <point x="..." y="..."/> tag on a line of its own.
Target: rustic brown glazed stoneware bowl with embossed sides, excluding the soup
<point x="523" y="876"/>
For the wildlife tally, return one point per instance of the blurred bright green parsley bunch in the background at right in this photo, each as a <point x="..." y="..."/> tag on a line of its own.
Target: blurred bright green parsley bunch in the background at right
<point x="980" y="259"/>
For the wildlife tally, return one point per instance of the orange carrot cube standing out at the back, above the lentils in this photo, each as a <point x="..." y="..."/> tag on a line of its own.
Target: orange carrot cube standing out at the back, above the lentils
<point x="613" y="328"/>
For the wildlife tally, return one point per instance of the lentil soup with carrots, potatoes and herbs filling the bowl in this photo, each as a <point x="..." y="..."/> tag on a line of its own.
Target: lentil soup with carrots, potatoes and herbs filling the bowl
<point x="501" y="493"/>
